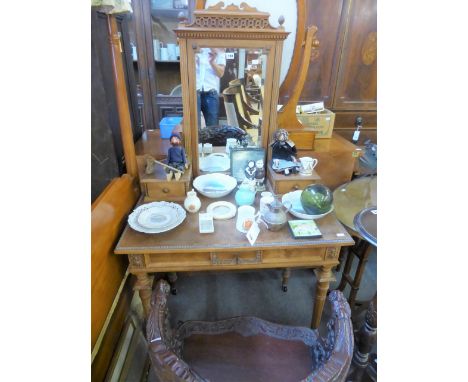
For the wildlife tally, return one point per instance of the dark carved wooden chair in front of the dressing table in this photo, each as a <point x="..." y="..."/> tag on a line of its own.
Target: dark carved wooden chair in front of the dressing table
<point x="325" y="359"/>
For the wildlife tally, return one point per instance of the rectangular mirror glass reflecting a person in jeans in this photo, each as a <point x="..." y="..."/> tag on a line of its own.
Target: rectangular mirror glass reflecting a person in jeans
<point x="229" y="85"/>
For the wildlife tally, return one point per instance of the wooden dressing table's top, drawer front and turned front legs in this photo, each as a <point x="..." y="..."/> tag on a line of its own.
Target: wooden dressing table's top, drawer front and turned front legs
<point x="184" y="249"/>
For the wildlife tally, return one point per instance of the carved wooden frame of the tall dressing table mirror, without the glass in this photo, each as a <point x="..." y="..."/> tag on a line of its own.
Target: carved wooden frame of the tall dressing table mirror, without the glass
<point x="229" y="27"/>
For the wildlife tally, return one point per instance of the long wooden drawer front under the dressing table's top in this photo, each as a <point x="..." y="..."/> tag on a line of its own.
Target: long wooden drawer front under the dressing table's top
<point x="271" y="258"/>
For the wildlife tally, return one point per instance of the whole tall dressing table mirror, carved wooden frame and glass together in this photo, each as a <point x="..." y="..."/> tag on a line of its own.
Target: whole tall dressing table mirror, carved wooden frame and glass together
<point x="230" y="61"/>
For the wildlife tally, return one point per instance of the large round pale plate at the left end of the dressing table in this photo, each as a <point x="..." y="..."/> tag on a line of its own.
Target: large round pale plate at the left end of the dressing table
<point x="156" y="217"/>
